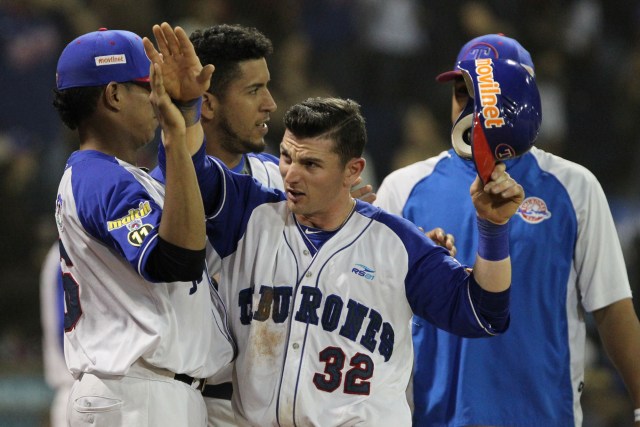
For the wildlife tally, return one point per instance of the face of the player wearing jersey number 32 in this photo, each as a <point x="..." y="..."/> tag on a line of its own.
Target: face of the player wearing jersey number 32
<point x="316" y="181"/>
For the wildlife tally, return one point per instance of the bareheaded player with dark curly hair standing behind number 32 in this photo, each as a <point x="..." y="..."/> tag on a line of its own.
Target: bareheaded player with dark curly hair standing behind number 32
<point x="236" y="110"/>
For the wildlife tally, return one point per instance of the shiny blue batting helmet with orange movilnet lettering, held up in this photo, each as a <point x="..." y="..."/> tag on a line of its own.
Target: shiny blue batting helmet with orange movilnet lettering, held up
<point x="503" y="113"/>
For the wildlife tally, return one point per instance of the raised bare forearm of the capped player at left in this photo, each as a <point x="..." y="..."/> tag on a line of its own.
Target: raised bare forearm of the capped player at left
<point x="182" y="221"/>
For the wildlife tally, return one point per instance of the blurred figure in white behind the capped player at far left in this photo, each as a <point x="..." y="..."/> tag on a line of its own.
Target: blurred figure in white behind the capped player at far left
<point x="56" y="374"/>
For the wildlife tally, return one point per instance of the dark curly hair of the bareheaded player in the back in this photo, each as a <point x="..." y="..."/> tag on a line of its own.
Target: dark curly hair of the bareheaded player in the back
<point x="225" y="46"/>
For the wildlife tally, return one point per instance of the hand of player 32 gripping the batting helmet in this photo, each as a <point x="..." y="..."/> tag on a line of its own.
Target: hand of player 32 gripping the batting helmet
<point x="499" y="199"/>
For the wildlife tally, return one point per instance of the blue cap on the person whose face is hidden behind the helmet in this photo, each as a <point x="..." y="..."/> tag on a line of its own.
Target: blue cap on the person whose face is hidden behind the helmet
<point x="494" y="46"/>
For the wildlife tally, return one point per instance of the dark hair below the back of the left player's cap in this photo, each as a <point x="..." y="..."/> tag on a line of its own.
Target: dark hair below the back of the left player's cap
<point x="76" y="104"/>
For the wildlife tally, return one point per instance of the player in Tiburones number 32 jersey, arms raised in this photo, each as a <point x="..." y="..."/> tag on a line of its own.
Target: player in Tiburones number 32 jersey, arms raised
<point x="321" y="287"/>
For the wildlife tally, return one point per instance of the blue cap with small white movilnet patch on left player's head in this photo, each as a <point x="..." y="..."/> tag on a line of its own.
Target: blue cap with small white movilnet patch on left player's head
<point x="100" y="57"/>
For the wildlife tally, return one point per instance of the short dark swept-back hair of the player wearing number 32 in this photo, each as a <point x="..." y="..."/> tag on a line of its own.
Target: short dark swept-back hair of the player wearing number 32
<point x="333" y="118"/>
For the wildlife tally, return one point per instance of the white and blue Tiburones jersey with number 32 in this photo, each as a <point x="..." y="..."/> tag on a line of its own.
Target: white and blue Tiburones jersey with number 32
<point x="324" y="332"/>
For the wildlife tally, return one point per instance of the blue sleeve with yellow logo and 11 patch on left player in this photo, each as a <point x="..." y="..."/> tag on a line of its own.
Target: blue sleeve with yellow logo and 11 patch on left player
<point x="116" y="209"/>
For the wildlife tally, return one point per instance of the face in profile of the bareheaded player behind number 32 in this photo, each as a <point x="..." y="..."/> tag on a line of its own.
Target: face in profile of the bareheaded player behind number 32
<point x="237" y="122"/>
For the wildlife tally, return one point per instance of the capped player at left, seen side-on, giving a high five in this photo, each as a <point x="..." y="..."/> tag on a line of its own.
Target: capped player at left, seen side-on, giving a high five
<point x="143" y="328"/>
